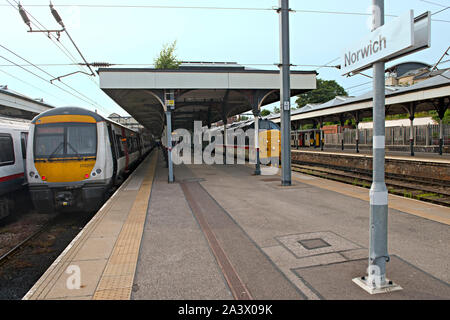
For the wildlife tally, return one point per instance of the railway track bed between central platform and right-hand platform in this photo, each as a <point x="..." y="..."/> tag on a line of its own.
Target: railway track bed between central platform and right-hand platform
<point x="424" y="189"/>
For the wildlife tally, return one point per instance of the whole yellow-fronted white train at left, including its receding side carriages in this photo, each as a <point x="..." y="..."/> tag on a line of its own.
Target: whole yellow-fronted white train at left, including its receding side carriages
<point x="75" y="157"/>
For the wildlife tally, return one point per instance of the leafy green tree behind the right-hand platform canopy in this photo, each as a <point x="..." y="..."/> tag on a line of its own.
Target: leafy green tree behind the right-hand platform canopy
<point x="326" y="90"/>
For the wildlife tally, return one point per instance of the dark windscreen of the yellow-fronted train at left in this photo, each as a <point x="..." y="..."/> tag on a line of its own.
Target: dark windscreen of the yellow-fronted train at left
<point x="66" y="140"/>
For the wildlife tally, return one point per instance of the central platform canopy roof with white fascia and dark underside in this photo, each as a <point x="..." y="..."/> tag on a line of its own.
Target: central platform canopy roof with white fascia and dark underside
<point x="204" y="92"/>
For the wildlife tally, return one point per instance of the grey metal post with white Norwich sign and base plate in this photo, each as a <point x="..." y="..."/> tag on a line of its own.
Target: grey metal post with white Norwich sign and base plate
<point x="401" y="36"/>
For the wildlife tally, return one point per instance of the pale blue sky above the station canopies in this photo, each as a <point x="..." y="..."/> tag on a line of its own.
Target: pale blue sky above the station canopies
<point x="248" y="37"/>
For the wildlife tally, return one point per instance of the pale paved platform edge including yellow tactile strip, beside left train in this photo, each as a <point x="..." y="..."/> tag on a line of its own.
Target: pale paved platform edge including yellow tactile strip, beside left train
<point x="100" y="262"/>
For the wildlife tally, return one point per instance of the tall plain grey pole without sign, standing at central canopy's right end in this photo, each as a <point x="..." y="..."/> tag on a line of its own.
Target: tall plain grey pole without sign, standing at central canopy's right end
<point x="285" y="94"/>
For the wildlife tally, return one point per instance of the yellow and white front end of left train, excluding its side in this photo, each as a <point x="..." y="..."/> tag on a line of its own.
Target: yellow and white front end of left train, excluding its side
<point x="66" y="166"/>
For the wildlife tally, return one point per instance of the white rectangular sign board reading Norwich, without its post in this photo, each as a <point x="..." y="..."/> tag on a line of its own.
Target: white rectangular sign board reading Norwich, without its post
<point x="399" y="37"/>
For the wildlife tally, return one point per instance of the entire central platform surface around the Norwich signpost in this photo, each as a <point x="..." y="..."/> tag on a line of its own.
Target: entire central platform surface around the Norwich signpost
<point x="220" y="232"/>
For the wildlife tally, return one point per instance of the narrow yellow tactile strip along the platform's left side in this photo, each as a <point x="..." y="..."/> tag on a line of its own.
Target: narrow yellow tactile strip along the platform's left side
<point x="116" y="281"/>
